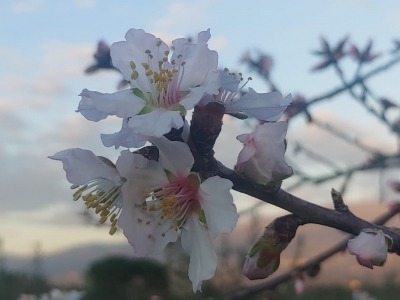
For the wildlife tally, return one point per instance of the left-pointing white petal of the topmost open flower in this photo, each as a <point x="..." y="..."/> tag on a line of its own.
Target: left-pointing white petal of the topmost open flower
<point x="123" y="104"/>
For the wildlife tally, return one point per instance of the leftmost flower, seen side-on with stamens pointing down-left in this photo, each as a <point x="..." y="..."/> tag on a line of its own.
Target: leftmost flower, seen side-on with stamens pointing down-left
<point x="96" y="180"/>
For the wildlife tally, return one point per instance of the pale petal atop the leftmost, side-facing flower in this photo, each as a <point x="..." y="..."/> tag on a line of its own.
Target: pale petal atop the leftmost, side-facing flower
<point x="82" y="166"/>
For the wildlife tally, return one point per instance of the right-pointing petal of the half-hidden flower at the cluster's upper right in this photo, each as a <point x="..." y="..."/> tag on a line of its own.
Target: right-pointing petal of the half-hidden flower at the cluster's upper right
<point x="263" y="106"/>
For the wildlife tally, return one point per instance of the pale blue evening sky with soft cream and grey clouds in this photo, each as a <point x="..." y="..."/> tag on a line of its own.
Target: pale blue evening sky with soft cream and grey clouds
<point x="46" y="45"/>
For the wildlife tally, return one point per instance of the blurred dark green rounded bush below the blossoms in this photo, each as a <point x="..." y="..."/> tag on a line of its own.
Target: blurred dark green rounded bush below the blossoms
<point x="125" y="279"/>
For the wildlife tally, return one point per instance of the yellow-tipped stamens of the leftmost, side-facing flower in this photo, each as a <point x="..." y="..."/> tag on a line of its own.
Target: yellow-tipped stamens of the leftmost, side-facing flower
<point x="104" y="197"/>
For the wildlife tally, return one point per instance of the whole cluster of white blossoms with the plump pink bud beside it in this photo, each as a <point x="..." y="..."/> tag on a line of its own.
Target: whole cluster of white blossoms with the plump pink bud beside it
<point x="156" y="200"/>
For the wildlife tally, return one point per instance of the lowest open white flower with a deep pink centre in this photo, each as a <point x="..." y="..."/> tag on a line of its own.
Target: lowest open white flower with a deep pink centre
<point x="162" y="199"/>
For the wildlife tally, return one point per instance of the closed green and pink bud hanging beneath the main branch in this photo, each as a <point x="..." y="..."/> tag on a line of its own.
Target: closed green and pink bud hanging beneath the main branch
<point x="264" y="256"/>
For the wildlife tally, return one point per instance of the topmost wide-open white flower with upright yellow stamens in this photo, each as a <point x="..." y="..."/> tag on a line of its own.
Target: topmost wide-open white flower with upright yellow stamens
<point x="161" y="89"/>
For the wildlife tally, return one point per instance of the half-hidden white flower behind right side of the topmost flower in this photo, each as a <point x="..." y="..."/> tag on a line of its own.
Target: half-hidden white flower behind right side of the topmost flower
<point x="263" y="106"/>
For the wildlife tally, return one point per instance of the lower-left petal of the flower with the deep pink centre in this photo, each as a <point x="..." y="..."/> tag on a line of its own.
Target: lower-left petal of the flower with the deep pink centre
<point x="136" y="224"/>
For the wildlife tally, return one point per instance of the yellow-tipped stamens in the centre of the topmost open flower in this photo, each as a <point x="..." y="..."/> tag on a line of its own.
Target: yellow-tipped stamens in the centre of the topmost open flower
<point x="163" y="83"/>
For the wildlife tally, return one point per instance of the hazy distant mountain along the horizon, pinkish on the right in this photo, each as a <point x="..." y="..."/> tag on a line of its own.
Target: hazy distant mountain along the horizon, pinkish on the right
<point x="67" y="266"/>
